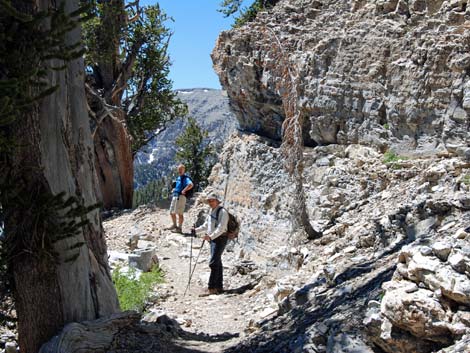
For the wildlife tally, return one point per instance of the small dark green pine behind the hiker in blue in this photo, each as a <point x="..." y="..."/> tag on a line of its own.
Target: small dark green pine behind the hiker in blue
<point x="197" y="156"/>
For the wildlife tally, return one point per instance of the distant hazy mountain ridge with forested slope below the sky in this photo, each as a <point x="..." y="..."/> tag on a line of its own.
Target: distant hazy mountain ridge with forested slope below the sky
<point x="211" y="110"/>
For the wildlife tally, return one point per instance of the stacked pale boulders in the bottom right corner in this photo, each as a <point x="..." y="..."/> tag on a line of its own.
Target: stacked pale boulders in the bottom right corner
<point x="429" y="297"/>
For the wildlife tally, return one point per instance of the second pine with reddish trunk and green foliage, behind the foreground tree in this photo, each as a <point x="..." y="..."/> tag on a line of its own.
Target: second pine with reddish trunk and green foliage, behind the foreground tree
<point x="130" y="97"/>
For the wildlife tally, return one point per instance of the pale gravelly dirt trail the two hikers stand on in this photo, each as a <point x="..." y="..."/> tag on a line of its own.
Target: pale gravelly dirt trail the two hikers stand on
<point x="213" y="323"/>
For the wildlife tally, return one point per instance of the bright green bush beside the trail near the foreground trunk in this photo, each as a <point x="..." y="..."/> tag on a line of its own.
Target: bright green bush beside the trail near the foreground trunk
<point x="132" y="292"/>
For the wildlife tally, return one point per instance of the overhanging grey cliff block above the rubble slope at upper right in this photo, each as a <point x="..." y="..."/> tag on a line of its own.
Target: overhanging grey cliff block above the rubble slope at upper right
<point x="390" y="73"/>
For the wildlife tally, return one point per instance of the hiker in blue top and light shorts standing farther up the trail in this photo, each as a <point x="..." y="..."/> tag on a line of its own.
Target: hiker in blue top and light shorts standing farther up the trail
<point x="178" y="202"/>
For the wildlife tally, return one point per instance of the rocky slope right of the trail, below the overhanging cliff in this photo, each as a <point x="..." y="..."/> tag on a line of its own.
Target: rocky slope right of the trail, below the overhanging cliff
<point x="390" y="272"/>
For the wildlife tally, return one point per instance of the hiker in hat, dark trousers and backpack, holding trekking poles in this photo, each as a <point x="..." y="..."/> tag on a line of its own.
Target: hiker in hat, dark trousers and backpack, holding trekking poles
<point x="214" y="229"/>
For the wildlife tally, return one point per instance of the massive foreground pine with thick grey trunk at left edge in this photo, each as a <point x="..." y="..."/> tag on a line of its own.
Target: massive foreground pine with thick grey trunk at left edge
<point x="53" y="243"/>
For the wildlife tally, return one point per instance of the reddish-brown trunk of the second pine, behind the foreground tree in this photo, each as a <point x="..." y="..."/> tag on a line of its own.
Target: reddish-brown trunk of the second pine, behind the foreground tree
<point x="113" y="151"/>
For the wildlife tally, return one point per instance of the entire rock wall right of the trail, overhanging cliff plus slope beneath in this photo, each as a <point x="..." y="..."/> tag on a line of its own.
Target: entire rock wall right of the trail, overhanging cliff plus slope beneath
<point x="390" y="273"/>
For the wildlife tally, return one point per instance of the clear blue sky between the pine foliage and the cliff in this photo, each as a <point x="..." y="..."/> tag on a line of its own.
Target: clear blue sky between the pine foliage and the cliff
<point x="195" y="29"/>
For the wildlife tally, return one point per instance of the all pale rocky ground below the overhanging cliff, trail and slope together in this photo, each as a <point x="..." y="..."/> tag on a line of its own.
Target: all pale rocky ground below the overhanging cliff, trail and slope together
<point x="389" y="274"/>
